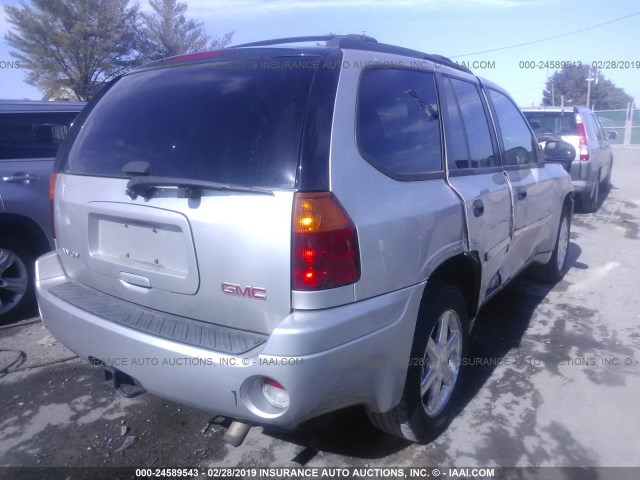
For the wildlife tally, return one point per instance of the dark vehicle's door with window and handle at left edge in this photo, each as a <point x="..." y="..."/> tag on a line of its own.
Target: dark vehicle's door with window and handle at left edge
<point x="28" y="145"/>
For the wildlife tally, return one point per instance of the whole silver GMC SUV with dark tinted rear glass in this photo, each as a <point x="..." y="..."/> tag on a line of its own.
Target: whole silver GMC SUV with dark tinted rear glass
<point x="275" y="232"/>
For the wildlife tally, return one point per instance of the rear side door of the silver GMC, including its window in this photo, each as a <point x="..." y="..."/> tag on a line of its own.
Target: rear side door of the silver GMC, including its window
<point x="476" y="174"/>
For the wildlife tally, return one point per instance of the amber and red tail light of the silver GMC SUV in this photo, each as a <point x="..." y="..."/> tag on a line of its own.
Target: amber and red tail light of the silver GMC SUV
<point x="325" y="243"/>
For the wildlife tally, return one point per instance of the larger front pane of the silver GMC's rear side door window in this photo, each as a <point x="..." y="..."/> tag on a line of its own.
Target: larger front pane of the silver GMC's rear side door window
<point x="475" y="125"/>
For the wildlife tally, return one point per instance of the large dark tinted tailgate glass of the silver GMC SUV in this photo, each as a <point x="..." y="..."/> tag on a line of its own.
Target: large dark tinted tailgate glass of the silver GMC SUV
<point x="210" y="121"/>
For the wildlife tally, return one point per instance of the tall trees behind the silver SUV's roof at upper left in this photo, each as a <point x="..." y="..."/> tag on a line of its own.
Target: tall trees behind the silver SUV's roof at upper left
<point x="70" y="48"/>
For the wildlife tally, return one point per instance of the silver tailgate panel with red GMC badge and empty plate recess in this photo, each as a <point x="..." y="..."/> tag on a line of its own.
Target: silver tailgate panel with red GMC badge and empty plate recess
<point x="226" y="261"/>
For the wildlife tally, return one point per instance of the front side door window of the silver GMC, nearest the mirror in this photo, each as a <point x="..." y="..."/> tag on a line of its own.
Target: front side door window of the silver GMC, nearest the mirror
<point x="519" y="145"/>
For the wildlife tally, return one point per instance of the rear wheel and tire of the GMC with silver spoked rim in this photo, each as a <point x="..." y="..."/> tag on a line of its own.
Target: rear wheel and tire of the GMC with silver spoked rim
<point x="434" y="375"/>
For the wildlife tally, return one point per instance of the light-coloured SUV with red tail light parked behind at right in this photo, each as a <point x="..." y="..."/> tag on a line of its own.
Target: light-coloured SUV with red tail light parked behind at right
<point x="593" y="162"/>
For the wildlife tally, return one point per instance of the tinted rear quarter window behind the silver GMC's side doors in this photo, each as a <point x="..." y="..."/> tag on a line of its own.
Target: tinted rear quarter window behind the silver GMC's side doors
<point x="398" y="121"/>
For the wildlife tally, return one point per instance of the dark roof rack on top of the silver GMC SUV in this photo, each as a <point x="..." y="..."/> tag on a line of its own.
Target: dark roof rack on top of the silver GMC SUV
<point x="359" y="42"/>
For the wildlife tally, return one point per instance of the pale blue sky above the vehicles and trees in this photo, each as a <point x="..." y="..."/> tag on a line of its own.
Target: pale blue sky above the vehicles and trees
<point x="509" y="42"/>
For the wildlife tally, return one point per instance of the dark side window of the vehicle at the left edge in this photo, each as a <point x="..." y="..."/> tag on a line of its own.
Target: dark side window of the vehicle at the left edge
<point x="33" y="135"/>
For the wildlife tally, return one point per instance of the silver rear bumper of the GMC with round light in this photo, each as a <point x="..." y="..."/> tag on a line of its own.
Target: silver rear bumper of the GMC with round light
<point x="326" y="360"/>
